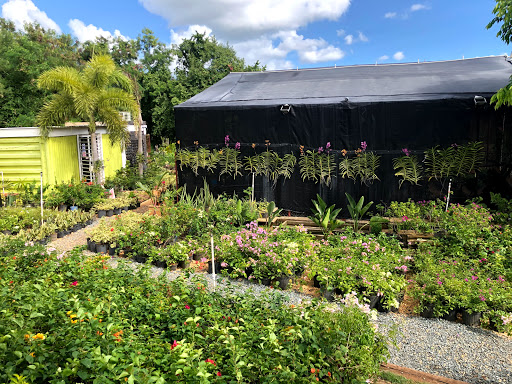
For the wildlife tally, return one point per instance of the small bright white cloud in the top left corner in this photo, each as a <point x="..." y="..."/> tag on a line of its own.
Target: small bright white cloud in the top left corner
<point x="25" y="11"/>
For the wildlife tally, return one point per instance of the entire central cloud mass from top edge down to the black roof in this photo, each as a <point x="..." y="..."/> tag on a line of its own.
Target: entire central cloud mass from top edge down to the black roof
<point x="264" y="30"/>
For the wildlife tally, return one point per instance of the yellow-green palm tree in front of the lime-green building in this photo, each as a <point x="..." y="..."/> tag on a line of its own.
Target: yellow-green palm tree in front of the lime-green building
<point x="96" y="93"/>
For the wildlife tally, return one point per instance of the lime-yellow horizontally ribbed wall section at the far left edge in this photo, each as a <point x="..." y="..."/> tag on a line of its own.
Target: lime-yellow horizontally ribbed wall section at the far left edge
<point x="20" y="158"/>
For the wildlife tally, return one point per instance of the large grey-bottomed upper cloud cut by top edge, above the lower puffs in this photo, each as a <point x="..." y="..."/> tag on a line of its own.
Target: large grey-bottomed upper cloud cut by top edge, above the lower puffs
<point x="238" y="20"/>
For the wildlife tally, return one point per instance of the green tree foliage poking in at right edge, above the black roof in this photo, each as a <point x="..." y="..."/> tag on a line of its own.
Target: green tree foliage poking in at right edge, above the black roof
<point x="503" y="15"/>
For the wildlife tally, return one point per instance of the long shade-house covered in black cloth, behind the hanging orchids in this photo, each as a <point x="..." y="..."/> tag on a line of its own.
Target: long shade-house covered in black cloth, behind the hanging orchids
<point x="390" y="107"/>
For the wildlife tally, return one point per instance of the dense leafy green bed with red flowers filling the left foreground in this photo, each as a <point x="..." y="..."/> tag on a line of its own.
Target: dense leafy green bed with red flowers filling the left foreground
<point x="69" y="318"/>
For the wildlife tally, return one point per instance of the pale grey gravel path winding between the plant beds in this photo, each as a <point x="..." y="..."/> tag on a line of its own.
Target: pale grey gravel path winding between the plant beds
<point x="435" y="346"/>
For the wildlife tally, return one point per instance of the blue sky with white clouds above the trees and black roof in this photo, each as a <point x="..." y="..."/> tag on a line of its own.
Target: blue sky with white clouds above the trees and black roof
<point x="286" y="34"/>
